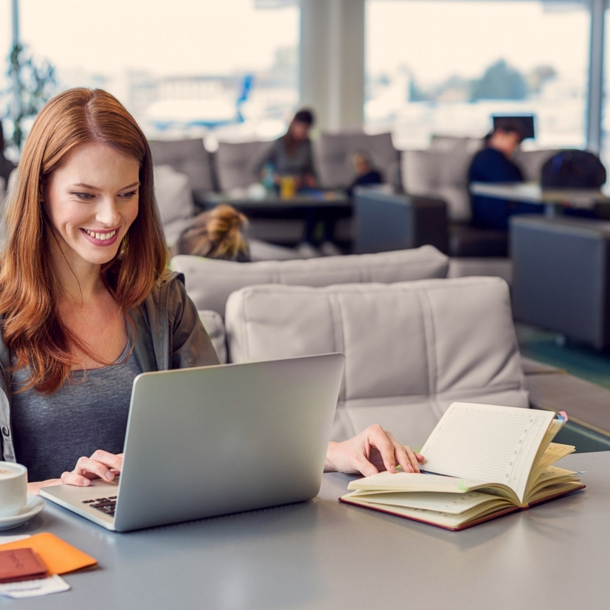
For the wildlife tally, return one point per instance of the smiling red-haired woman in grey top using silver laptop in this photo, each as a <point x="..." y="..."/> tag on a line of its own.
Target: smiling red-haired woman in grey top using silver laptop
<point x="87" y="303"/>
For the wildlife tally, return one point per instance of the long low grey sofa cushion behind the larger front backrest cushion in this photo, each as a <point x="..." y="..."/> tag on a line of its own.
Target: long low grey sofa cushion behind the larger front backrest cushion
<point x="210" y="282"/>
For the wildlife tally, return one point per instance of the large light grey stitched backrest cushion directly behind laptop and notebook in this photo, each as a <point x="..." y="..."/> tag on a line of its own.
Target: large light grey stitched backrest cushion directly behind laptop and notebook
<point x="411" y="348"/>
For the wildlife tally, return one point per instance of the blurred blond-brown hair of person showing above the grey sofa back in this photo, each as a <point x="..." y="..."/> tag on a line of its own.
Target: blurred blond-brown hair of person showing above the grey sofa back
<point x="215" y="234"/>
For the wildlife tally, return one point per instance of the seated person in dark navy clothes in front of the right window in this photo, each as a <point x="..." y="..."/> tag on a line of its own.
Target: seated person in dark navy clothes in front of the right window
<point x="493" y="164"/>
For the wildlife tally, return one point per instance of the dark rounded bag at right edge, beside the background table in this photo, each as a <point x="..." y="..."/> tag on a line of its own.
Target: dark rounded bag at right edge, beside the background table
<point x="573" y="169"/>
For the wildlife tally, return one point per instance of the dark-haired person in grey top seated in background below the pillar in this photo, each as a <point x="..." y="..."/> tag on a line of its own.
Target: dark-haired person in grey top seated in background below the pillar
<point x="291" y="155"/>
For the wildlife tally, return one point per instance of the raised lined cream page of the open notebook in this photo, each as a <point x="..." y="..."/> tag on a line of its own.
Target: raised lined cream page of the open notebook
<point x="487" y="443"/>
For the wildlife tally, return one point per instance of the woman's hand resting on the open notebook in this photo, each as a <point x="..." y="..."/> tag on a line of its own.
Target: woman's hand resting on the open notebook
<point x="369" y="452"/>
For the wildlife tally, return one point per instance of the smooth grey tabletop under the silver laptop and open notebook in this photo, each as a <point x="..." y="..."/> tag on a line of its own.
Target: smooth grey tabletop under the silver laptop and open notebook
<point x="323" y="554"/>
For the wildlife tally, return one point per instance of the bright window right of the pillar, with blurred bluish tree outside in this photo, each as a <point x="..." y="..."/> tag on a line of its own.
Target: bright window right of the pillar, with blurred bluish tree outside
<point x="444" y="67"/>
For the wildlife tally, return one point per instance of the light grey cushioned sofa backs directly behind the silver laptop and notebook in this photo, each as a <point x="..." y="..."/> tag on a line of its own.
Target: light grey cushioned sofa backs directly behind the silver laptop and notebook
<point x="414" y="341"/>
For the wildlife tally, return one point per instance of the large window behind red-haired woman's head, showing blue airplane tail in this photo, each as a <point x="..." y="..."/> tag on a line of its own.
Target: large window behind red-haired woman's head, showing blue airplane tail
<point x="183" y="67"/>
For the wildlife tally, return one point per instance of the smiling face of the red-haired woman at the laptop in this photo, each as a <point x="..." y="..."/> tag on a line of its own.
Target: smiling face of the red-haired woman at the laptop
<point x="91" y="201"/>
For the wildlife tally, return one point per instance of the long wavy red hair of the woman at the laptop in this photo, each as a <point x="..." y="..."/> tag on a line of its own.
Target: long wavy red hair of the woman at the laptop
<point x="29" y="289"/>
